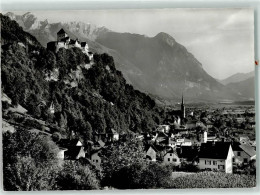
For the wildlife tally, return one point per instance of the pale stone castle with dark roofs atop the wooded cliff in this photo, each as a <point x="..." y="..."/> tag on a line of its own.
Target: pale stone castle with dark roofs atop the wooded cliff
<point x="64" y="41"/>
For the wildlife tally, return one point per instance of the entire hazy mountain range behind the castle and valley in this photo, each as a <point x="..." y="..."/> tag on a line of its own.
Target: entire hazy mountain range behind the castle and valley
<point x="157" y="65"/>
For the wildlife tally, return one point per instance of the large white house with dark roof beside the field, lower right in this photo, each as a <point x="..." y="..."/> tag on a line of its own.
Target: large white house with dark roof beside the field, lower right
<point x="216" y="156"/>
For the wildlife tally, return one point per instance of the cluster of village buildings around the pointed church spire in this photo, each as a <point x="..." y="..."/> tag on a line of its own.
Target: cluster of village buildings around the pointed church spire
<point x="192" y="142"/>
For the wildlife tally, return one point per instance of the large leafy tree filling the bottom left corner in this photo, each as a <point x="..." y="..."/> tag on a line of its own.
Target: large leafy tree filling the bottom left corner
<point x="29" y="161"/>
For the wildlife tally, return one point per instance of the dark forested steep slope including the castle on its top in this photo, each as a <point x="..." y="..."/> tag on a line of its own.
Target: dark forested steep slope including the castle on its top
<point x="99" y="101"/>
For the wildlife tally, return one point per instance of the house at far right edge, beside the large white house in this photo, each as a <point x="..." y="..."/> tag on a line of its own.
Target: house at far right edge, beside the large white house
<point x="243" y="153"/>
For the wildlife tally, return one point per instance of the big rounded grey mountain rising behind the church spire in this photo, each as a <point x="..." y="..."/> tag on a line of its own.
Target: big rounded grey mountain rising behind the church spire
<point x="163" y="67"/>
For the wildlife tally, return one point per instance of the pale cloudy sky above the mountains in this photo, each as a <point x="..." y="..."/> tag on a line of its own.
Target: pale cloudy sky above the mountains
<point x="221" y="39"/>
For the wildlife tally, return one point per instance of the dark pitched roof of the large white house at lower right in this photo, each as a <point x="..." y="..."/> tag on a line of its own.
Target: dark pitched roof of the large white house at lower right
<point x="217" y="150"/>
